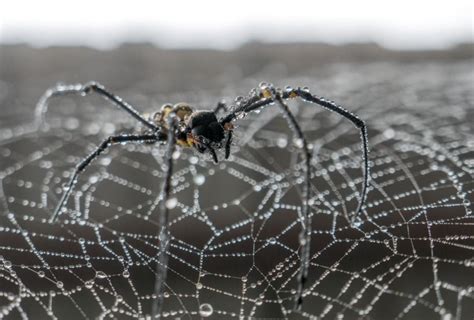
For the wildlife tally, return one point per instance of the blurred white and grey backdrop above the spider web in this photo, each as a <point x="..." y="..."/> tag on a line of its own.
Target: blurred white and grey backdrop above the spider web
<point x="204" y="45"/>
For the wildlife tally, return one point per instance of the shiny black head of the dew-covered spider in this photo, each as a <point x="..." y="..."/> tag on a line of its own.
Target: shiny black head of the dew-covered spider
<point x="204" y="130"/>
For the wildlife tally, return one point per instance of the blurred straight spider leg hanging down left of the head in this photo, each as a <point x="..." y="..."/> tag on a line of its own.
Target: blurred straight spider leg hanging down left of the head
<point x="164" y="236"/>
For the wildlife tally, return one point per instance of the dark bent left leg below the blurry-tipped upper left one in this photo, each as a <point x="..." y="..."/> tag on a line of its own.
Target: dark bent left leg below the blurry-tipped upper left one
<point x="85" y="163"/>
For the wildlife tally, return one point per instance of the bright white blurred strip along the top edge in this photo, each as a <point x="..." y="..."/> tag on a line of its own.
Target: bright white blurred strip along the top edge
<point x="412" y="25"/>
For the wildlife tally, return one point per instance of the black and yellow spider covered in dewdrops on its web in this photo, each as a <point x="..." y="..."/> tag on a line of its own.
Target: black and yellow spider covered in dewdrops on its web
<point x="181" y="125"/>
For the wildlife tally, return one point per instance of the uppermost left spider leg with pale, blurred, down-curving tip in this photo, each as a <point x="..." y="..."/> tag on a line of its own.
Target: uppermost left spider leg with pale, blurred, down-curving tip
<point x="83" y="89"/>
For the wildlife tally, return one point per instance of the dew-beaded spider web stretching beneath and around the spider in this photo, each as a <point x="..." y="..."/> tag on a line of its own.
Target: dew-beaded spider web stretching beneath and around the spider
<point x="234" y="226"/>
